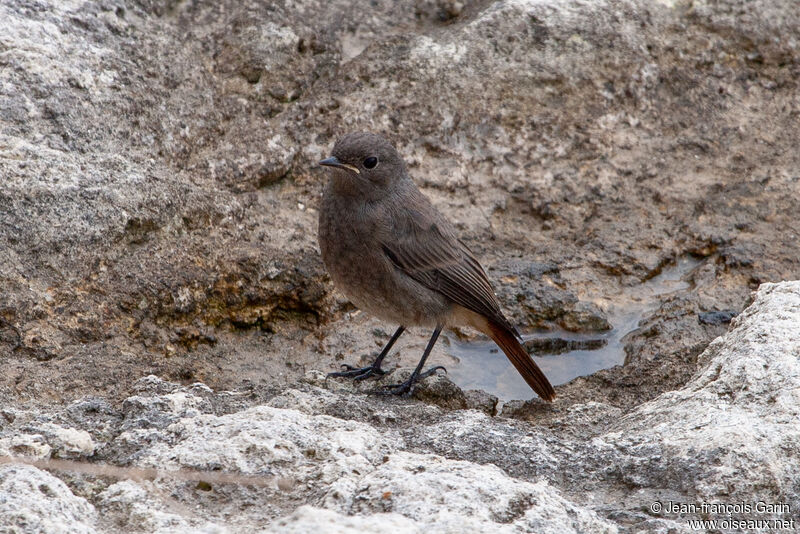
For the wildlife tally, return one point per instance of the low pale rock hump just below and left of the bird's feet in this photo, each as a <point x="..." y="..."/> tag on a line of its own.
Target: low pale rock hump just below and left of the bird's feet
<point x="270" y="441"/>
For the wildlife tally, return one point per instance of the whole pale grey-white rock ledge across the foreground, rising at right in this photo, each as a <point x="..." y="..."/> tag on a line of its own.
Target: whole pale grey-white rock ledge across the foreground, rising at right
<point x="338" y="461"/>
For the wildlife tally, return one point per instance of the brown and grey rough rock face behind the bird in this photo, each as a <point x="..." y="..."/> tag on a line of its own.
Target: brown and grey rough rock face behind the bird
<point x="159" y="180"/>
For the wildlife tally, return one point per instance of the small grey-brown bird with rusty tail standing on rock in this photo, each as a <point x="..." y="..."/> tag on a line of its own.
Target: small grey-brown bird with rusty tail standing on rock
<point x="396" y="257"/>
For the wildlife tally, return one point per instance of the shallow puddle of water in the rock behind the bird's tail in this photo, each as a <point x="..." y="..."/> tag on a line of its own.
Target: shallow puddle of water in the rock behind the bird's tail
<point x="565" y="355"/>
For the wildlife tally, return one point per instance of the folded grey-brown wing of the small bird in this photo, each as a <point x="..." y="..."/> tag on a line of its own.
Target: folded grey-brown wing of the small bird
<point x="438" y="260"/>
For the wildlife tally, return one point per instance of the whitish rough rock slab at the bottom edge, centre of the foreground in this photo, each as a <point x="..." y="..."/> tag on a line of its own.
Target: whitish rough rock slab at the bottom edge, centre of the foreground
<point x="456" y="496"/>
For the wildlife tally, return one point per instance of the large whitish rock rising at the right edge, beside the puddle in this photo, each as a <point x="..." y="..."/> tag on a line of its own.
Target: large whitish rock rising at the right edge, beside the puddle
<point x="736" y="420"/>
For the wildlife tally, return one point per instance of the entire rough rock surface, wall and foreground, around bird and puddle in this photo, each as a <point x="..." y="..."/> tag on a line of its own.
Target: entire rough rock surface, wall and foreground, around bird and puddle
<point x="157" y="220"/>
